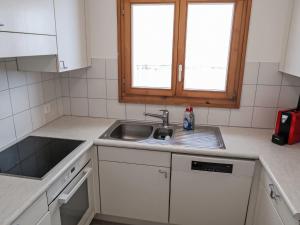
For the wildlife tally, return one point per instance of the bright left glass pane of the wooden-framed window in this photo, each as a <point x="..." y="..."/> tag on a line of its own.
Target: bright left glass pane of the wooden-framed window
<point x="152" y="44"/>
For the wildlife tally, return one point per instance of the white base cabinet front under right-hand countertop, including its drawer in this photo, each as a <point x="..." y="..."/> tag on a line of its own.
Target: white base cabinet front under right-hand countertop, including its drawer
<point x="271" y="208"/>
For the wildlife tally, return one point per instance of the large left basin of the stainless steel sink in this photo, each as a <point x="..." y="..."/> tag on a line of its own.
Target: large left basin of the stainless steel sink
<point x="131" y="132"/>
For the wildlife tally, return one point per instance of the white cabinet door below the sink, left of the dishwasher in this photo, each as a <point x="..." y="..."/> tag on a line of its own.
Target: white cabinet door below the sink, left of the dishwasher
<point x="134" y="191"/>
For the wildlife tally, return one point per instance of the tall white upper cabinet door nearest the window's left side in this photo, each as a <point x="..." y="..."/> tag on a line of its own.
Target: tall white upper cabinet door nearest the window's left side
<point x="71" y="34"/>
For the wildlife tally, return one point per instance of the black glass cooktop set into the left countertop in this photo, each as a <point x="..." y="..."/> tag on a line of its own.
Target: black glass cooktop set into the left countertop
<point x="35" y="156"/>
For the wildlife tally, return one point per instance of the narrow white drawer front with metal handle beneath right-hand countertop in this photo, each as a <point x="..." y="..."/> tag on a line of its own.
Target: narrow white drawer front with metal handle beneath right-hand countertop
<point x="279" y="203"/>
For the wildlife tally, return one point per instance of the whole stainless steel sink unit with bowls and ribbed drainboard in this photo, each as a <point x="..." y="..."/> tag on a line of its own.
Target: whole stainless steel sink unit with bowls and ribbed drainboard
<point x="154" y="133"/>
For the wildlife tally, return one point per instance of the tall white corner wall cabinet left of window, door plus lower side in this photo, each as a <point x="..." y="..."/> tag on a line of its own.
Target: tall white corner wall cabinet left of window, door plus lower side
<point x="71" y="41"/>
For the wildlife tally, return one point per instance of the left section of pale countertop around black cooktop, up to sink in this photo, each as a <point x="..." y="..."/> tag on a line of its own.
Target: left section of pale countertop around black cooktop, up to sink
<point x="17" y="194"/>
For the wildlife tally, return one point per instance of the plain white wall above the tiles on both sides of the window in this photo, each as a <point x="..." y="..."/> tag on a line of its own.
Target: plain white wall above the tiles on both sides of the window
<point x="269" y="20"/>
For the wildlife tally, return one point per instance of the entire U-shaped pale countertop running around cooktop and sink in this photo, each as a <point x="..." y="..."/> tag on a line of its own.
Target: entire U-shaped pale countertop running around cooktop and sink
<point x="282" y="163"/>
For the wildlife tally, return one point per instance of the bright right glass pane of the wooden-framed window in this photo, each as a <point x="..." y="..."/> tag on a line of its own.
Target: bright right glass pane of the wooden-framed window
<point x="208" y="42"/>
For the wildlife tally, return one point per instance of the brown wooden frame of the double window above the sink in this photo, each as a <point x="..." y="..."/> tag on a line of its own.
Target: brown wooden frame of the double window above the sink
<point x="177" y="96"/>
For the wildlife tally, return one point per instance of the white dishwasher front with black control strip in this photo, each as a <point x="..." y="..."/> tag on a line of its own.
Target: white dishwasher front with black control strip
<point x="210" y="191"/>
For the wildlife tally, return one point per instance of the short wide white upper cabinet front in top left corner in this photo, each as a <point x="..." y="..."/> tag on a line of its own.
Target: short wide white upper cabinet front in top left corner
<point x="30" y="16"/>
